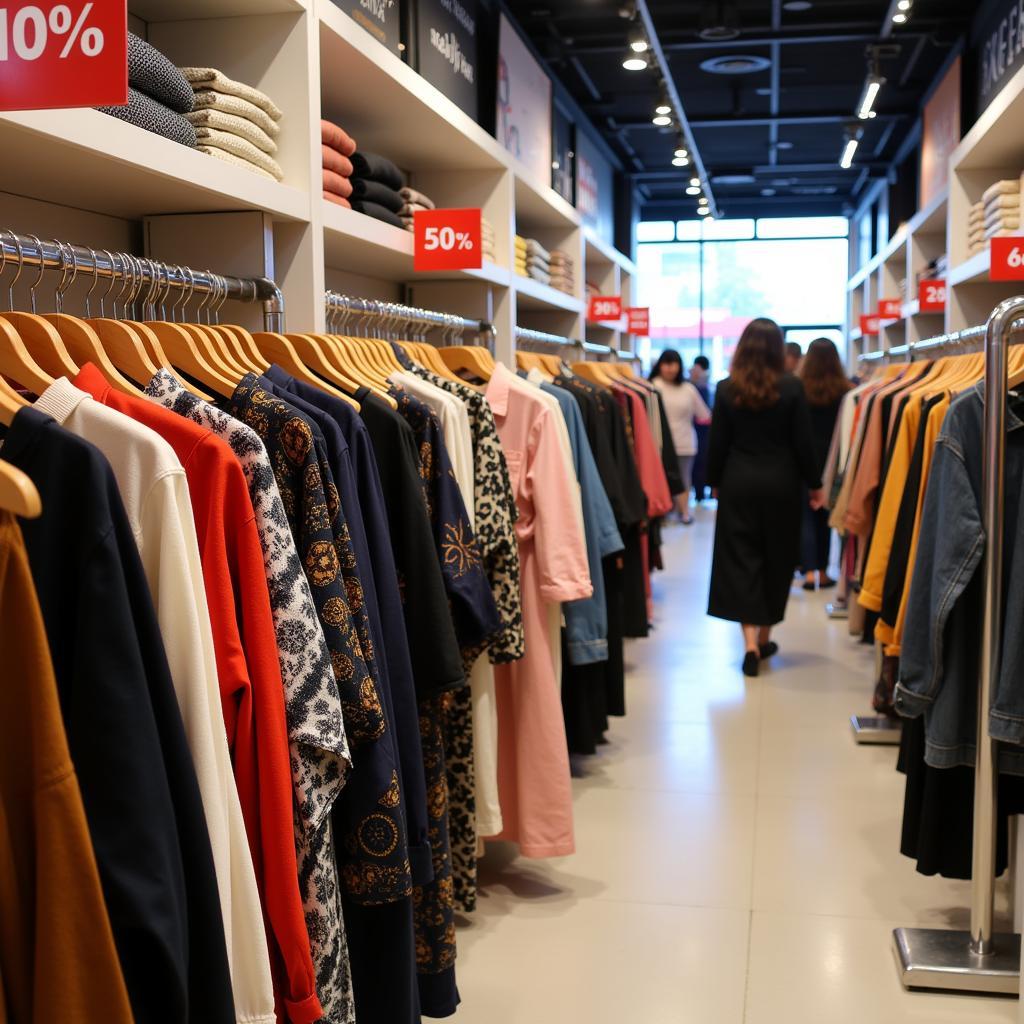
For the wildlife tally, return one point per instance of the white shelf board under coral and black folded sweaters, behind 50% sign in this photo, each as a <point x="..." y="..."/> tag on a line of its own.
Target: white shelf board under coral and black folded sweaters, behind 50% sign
<point x="364" y="245"/>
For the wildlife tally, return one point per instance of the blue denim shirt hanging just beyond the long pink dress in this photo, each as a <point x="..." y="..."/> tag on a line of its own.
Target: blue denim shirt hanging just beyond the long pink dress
<point x="587" y="620"/>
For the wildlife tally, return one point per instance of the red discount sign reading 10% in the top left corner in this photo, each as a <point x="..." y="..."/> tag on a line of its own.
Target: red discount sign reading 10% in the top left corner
<point x="63" y="55"/>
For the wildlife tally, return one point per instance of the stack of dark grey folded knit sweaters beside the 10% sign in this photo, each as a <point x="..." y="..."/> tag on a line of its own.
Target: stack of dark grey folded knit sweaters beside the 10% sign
<point x="158" y="95"/>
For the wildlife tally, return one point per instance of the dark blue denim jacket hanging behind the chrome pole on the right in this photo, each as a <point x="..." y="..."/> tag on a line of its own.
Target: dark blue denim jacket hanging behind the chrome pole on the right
<point x="941" y="660"/>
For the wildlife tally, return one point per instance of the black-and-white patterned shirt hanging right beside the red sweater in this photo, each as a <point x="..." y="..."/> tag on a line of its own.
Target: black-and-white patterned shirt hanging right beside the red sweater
<point x="320" y="757"/>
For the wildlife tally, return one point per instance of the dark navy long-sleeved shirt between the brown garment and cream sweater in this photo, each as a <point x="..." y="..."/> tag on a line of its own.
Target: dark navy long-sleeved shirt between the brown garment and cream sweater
<point x="139" y="786"/>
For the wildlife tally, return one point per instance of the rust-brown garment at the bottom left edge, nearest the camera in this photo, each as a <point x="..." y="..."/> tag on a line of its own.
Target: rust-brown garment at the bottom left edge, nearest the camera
<point x="58" y="961"/>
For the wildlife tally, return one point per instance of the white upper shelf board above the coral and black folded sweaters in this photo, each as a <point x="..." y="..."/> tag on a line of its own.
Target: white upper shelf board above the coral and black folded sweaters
<point x="390" y="109"/>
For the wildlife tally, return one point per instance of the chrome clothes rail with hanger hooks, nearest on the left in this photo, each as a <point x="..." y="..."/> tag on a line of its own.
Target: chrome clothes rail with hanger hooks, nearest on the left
<point x="154" y="278"/>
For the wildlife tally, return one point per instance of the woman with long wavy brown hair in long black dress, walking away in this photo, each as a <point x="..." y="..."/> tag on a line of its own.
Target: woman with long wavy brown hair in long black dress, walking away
<point x="760" y="454"/>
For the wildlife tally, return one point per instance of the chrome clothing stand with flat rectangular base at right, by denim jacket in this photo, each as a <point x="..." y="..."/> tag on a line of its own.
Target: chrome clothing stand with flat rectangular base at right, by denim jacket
<point x="979" y="961"/>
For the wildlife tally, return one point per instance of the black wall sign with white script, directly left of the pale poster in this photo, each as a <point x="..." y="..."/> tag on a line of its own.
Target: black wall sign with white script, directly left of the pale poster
<point x="447" y="50"/>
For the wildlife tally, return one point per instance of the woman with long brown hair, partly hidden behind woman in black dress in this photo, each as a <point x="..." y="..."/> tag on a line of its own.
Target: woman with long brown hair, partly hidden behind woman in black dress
<point x="825" y="385"/>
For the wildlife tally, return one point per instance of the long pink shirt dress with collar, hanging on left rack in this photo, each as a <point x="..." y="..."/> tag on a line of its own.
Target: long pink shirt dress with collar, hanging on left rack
<point x="534" y="773"/>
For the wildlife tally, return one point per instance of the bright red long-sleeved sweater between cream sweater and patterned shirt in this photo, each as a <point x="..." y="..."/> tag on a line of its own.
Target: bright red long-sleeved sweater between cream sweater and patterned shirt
<point x="251" y="690"/>
